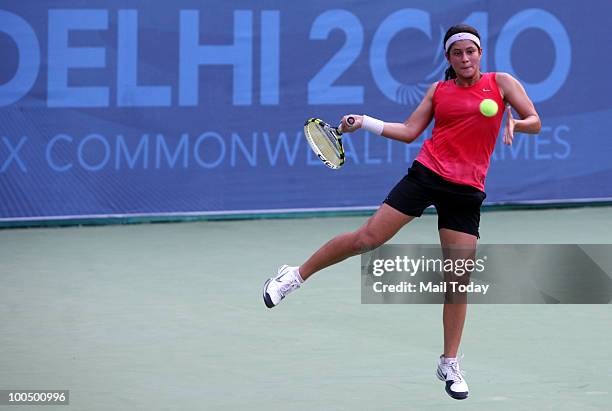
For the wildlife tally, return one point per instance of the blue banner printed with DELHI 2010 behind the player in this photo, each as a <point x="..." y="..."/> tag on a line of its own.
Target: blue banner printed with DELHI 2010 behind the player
<point x="129" y="108"/>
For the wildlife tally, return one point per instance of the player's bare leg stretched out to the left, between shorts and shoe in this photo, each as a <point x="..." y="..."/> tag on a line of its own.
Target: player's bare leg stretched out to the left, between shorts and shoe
<point x="379" y="228"/>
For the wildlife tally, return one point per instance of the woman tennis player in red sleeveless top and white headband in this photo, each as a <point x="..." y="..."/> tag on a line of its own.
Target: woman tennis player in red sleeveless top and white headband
<point x="449" y="172"/>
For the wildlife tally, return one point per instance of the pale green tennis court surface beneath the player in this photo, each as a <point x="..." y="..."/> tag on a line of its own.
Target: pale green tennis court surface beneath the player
<point x="170" y="316"/>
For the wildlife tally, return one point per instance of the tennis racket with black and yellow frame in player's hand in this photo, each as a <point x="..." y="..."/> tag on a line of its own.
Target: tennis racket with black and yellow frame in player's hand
<point x="326" y="141"/>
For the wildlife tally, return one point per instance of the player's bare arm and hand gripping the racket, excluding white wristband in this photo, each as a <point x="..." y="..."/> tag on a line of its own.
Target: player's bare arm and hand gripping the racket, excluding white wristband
<point x="409" y="130"/>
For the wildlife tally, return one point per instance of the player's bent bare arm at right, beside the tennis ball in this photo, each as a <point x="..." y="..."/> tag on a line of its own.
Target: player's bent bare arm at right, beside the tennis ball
<point x="515" y="95"/>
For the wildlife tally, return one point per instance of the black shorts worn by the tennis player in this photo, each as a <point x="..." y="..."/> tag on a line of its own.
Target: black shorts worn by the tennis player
<point x="458" y="205"/>
